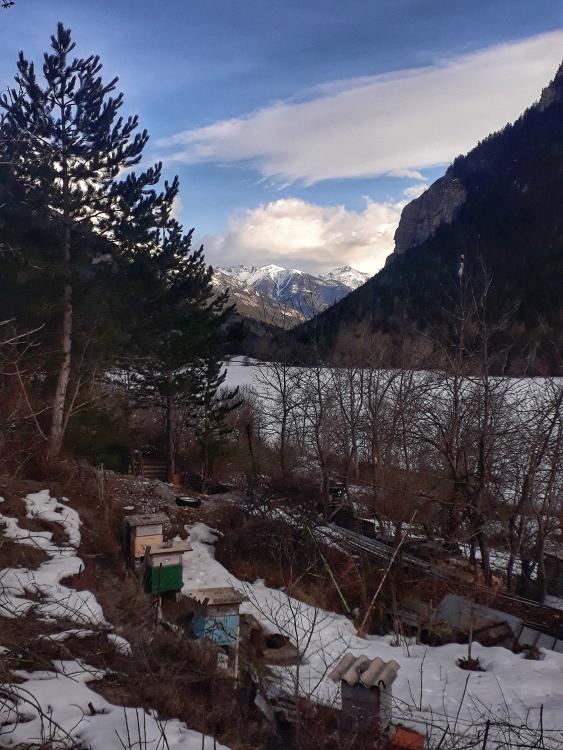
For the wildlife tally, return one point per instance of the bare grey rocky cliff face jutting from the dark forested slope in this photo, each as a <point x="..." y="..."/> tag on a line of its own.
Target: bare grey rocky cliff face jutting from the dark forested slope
<point x="422" y="217"/>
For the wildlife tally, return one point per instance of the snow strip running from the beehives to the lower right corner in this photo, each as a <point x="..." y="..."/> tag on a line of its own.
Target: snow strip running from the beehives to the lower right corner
<point x="430" y="690"/>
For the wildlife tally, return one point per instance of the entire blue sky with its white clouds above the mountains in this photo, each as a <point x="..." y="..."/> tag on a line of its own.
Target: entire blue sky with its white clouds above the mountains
<point x="300" y="128"/>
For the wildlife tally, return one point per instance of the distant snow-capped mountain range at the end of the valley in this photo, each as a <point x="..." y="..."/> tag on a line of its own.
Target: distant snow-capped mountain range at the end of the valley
<point x="272" y="293"/>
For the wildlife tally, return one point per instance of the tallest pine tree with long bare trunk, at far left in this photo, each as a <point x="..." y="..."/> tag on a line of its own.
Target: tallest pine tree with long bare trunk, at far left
<point x="67" y="145"/>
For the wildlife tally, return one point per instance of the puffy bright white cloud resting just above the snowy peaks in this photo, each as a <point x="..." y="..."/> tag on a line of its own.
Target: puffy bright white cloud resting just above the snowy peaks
<point x="294" y="233"/>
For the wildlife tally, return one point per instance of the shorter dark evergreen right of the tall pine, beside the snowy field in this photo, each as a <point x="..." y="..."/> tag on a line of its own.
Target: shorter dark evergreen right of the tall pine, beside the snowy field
<point x="182" y="322"/>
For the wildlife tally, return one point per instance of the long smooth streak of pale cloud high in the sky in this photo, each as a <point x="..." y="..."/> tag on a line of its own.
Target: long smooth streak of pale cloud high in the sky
<point x="397" y="123"/>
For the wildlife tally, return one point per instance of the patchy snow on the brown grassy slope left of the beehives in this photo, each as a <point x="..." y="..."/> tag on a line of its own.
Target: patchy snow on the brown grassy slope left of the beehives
<point x="55" y="707"/>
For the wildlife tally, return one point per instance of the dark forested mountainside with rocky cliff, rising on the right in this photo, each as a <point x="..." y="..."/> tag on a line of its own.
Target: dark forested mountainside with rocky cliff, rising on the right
<point x="499" y="207"/>
